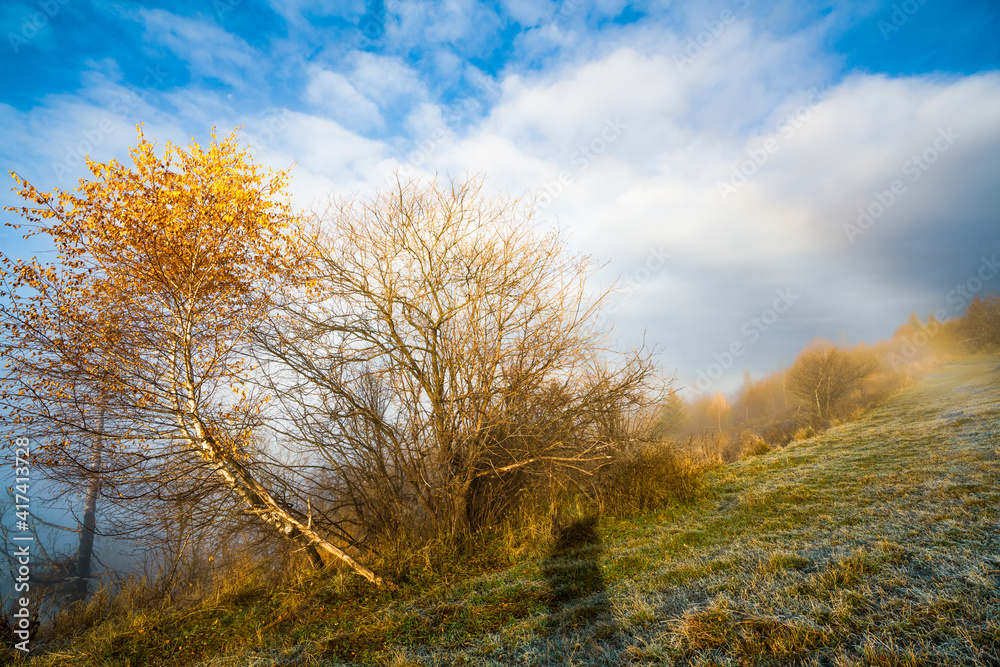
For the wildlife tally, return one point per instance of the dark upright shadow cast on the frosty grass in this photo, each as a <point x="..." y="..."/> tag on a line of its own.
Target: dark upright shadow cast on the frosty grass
<point x="573" y="571"/>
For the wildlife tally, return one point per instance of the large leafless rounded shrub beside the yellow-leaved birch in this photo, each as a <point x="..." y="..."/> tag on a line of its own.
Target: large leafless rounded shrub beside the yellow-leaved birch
<point x="449" y="370"/>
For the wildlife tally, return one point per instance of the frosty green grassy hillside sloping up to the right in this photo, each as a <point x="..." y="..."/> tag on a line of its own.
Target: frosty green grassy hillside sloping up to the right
<point x="876" y="543"/>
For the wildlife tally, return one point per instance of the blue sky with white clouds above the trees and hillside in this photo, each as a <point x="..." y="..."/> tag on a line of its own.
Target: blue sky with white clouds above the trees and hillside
<point x="754" y="173"/>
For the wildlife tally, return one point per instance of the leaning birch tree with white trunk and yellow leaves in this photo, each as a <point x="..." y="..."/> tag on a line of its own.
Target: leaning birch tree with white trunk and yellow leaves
<point x="138" y="336"/>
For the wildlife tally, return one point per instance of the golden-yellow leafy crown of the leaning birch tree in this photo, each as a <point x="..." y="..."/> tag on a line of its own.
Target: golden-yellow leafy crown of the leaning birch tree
<point x="194" y="239"/>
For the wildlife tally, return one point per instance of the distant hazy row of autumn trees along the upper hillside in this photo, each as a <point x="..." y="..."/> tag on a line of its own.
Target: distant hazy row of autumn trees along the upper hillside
<point x="827" y="384"/>
